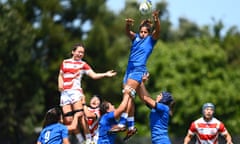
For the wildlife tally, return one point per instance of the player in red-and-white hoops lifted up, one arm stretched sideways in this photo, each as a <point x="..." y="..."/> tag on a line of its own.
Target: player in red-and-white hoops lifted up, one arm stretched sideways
<point x="69" y="84"/>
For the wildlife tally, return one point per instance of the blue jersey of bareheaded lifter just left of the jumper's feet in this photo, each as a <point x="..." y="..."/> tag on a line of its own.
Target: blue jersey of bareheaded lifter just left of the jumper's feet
<point x="105" y="124"/>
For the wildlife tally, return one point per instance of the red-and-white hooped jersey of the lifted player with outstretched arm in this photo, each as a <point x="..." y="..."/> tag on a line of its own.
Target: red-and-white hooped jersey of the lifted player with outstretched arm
<point x="73" y="71"/>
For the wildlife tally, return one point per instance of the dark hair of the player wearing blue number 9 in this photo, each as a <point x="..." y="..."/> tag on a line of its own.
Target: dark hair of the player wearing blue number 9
<point x="52" y="116"/>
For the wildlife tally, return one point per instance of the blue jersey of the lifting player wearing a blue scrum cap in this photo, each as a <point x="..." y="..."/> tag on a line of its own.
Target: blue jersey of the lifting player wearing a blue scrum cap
<point x="159" y="118"/>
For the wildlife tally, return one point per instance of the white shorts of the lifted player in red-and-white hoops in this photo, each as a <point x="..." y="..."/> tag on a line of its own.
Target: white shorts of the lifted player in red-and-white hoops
<point x="70" y="97"/>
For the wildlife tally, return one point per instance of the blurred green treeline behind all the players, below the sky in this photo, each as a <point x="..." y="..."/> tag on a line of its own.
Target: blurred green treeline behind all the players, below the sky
<point x="197" y="64"/>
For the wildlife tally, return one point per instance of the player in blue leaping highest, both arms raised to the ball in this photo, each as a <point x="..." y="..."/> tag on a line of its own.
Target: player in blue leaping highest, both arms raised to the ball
<point x="142" y="46"/>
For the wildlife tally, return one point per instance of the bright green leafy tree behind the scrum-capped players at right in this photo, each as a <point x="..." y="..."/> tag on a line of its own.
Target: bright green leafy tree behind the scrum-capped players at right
<point x="195" y="71"/>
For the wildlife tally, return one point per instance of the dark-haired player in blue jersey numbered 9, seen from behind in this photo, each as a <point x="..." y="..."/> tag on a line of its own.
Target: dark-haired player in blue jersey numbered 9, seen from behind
<point x="54" y="132"/>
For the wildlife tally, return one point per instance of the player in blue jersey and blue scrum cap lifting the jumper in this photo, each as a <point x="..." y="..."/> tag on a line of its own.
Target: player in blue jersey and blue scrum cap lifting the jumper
<point x="161" y="110"/>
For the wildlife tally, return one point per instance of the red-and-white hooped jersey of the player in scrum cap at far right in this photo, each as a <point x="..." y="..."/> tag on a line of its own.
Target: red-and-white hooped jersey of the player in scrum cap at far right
<point x="207" y="132"/>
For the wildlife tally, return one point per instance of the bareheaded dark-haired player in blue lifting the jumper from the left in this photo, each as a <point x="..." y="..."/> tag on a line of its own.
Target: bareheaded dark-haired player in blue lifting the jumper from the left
<point x="109" y="117"/>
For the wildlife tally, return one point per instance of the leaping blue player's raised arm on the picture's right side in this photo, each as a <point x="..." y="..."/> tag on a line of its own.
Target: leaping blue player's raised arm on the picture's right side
<point x="156" y="20"/>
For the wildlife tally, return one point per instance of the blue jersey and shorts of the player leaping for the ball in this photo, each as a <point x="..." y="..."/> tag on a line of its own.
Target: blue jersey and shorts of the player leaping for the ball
<point x="140" y="51"/>
